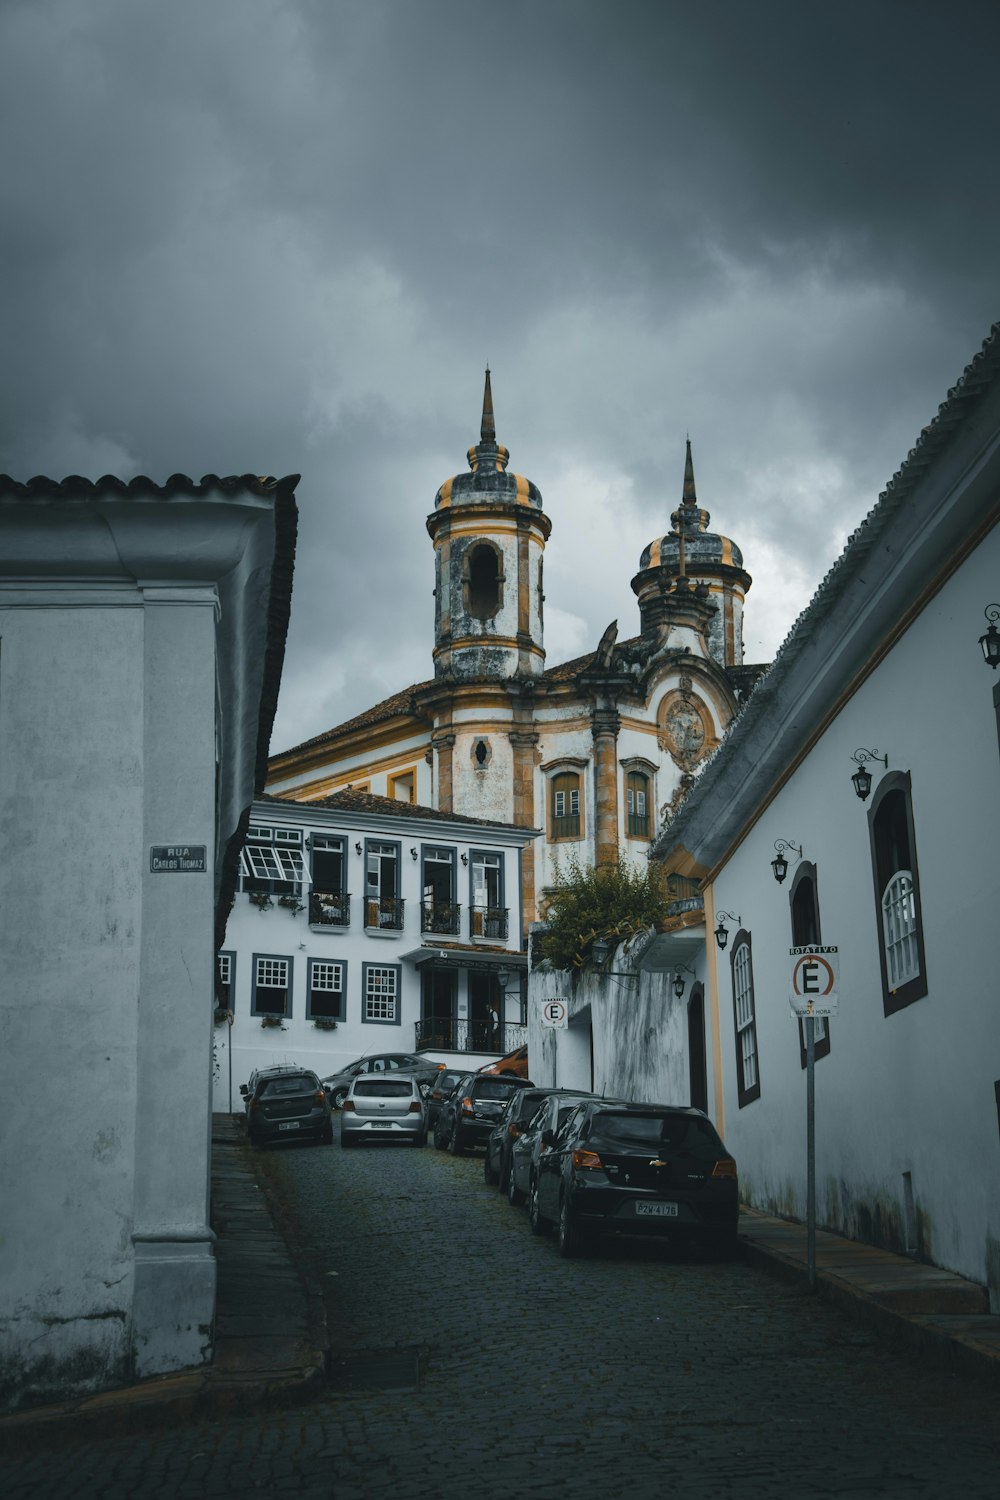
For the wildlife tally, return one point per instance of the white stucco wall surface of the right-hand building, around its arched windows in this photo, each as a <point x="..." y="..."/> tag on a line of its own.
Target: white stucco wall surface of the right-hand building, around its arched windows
<point x="912" y="1093"/>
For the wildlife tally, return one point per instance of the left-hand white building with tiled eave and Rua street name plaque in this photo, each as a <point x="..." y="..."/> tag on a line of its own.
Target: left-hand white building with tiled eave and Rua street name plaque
<point x="143" y="631"/>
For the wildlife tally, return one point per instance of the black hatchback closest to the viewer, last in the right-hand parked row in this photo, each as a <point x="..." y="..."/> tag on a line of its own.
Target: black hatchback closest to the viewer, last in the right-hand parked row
<point x="647" y="1171"/>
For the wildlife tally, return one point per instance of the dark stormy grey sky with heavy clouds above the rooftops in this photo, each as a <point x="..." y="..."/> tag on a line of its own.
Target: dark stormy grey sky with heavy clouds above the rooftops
<point x="287" y="236"/>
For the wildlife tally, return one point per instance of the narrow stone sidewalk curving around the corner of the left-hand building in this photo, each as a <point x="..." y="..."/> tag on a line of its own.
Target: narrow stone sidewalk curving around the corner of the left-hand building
<point x="271" y="1334"/>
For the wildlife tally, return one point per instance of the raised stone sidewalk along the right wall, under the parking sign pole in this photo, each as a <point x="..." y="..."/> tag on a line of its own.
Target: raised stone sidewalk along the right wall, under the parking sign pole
<point x="924" y="1309"/>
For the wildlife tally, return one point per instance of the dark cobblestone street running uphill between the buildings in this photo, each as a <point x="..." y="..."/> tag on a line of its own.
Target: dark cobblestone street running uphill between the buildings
<point x="623" y="1375"/>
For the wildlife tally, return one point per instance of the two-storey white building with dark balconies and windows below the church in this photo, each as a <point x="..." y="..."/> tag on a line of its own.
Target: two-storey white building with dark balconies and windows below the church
<point x="365" y="925"/>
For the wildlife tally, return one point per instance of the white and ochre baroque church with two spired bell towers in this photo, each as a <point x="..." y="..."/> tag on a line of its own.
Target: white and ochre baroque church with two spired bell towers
<point x="594" y="752"/>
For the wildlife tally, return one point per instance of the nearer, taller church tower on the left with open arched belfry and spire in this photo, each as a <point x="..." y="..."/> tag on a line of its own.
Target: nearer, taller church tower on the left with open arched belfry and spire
<point x="490" y="535"/>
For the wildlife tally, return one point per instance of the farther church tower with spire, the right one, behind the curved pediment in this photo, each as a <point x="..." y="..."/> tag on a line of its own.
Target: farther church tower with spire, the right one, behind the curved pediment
<point x="695" y="560"/>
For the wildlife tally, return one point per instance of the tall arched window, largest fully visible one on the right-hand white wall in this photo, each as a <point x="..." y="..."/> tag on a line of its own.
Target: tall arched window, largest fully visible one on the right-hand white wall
<point x="897" y="893"/>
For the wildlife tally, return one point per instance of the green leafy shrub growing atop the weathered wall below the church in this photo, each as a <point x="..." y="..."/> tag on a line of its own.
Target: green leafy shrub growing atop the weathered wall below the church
<point x="587" y="904"/>
